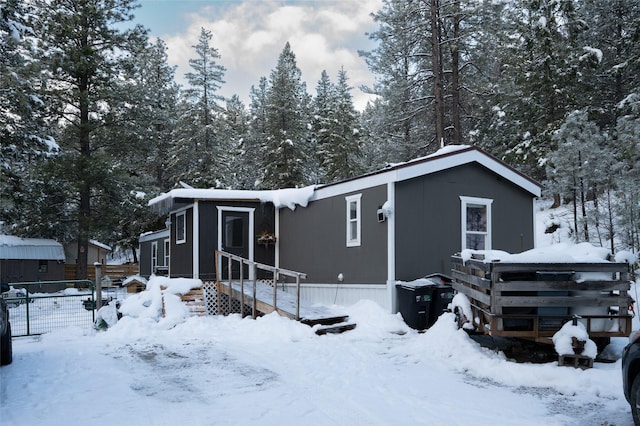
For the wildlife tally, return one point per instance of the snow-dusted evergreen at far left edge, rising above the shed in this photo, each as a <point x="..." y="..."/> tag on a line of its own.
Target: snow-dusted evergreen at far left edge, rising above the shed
<point x="24" y="140"/>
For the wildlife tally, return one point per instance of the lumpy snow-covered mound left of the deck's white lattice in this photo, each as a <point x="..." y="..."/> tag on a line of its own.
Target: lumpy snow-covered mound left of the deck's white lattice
<point x="161" y="291"/>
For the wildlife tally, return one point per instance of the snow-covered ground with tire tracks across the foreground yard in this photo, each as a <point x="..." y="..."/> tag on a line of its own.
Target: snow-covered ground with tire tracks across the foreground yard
<point x="274" y="371"/>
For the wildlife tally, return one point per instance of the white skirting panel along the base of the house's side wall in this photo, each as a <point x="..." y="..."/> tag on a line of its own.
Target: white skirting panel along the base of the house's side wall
<point x="341" y="294"/>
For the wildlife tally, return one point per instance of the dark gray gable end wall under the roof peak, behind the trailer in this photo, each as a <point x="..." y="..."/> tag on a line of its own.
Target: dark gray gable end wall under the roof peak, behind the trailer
<point x="428" y="217"/>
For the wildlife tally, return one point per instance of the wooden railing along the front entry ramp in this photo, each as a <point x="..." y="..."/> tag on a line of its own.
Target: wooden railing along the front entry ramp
<point x="253" y="268"/>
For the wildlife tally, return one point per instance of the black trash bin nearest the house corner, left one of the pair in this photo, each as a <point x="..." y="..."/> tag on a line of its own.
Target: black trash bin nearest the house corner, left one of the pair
<point x="414" y="301"/>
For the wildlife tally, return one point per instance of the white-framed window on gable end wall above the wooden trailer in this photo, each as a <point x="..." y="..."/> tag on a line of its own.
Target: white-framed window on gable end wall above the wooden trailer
<point x="476" y="223"/>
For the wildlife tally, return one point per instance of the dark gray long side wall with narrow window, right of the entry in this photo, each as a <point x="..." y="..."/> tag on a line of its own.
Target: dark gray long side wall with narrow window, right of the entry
<point x="313" y="240"/>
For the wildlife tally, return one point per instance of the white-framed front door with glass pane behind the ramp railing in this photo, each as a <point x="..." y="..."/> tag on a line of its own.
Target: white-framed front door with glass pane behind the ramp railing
<point x="235" y="233"/>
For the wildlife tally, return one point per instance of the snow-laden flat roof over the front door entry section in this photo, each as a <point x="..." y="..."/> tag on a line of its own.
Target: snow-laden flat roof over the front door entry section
<point x="289" y="197"/>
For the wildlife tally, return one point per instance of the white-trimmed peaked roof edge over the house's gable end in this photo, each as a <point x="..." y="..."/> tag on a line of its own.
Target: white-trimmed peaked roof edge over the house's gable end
<point x="443" y="159"/>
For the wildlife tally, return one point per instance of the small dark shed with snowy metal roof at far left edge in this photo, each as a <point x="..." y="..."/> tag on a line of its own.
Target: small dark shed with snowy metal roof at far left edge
<point x="30" y="259"/>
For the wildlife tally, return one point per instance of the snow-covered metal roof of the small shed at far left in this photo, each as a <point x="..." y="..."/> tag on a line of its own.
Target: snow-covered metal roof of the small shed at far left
<point x="17" y="248"/>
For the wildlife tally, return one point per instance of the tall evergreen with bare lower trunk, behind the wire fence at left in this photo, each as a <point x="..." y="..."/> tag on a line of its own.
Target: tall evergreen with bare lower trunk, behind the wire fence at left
<point x="87" y="46"/>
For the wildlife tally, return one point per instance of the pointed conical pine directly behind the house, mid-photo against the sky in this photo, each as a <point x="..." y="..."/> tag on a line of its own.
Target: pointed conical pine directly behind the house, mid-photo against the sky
<point x="285" y="150"/>
